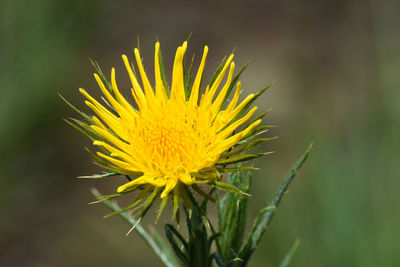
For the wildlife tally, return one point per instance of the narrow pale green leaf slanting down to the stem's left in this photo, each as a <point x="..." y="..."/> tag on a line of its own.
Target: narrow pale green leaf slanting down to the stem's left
<point x="164" y="254"/>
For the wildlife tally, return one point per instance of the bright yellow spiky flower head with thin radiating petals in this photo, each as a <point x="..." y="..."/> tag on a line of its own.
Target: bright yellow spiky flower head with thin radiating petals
<point x="173" y="138"/>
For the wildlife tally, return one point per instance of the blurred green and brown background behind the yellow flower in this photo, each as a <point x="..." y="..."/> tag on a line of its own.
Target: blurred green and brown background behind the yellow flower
<point x="337" y="69"/>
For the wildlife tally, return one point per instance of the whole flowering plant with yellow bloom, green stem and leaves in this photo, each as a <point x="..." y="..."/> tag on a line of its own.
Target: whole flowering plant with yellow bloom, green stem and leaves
<point x="174" y="145"/>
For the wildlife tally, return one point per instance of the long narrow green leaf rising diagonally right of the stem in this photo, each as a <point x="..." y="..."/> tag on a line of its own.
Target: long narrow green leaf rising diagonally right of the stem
<point x="265" y="216"/>
